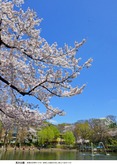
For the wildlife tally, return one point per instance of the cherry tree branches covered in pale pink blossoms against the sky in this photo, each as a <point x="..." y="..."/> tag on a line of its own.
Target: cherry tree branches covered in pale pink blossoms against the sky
<point x="30" y="66"/>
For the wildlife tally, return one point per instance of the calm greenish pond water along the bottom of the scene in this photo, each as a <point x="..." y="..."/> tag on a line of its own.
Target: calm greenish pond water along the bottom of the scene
<point x="54" y="155"/>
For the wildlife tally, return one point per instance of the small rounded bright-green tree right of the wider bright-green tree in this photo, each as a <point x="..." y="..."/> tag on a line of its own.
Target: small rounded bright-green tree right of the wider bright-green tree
<point x="69" y="138"/>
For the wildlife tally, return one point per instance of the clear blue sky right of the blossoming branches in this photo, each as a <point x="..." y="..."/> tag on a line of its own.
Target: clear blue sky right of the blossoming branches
<point x="66" y="21"/>
